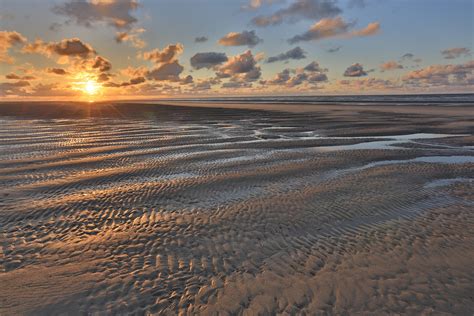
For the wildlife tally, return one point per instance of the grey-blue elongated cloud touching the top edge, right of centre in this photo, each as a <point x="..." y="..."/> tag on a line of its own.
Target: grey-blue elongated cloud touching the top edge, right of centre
<point x="300" y="9"/>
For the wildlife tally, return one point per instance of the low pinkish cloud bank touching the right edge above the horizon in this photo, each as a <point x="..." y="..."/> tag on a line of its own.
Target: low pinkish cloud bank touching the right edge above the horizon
<point x="461" y="74"/>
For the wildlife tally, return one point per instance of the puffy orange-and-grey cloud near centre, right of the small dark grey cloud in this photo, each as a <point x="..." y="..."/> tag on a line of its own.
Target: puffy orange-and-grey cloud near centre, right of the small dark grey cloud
<point x="243" y="67"/>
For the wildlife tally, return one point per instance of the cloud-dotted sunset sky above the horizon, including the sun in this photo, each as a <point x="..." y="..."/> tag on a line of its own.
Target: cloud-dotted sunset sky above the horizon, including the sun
<point x="105" y="49"/>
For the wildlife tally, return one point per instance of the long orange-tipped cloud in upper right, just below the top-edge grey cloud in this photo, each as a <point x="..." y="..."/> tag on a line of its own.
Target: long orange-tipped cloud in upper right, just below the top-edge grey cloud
<point x="336" y="27"/>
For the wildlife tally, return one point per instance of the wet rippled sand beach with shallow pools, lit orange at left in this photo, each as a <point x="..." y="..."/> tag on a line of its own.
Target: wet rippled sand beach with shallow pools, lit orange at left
<point x="144" y="209"/>
